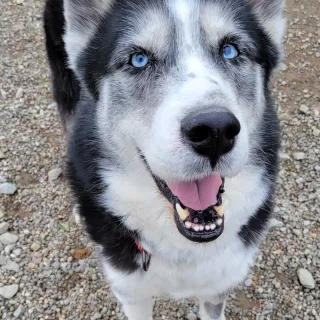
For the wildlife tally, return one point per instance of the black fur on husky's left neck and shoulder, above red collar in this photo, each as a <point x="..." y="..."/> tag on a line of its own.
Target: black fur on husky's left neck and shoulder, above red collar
<point x="104" y="228"/>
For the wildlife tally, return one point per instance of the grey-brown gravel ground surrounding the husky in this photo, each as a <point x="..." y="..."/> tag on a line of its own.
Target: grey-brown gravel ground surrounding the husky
<point x="47" y="270"/>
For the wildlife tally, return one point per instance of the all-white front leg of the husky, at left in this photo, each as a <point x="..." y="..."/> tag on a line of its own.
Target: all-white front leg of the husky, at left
<point x="136" y="308"/>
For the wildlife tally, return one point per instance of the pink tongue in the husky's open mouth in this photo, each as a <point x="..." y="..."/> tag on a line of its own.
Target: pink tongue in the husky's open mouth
<point x="199" y="194"/>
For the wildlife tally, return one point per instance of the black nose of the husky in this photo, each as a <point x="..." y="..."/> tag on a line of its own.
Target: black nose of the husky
<point x="211" y="134"/>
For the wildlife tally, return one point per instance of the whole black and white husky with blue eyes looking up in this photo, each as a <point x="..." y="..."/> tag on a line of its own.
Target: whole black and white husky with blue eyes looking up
<point x="173" y="138"/>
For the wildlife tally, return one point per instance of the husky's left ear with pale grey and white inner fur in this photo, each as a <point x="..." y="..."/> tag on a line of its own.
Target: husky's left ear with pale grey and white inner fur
<point x="82" y="18"/>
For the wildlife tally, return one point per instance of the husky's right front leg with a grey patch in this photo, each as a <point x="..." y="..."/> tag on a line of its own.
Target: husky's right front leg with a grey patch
<point x="212" y="308"/>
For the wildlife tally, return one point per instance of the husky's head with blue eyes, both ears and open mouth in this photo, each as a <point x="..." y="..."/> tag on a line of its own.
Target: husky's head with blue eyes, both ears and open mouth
<point x="182" y="82"/>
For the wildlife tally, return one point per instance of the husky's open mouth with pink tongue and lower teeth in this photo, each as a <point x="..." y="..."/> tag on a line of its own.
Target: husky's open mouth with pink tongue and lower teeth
<point x="198" y="207"/>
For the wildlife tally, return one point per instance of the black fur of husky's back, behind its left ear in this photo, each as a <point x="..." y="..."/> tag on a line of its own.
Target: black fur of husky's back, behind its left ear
<point x="66" y="88"/>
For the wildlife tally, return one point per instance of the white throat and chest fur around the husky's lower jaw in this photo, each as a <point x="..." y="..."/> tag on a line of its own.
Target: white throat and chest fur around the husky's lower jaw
<point x="177" y="262"/>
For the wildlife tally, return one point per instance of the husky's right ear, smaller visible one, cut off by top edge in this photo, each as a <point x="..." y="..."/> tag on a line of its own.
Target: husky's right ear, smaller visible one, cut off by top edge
<point x="270" y="15"/>
